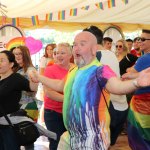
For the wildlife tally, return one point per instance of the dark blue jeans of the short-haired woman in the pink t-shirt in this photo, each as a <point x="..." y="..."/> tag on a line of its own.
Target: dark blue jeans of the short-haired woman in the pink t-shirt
<point x="54" y="122"/>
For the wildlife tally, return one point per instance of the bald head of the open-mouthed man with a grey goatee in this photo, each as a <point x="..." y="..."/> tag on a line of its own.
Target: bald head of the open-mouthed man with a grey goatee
<point x="84" y="48"/>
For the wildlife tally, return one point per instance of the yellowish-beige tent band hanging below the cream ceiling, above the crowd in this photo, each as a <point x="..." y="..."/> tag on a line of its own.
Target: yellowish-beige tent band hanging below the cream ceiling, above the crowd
<point x="26" y="23"/>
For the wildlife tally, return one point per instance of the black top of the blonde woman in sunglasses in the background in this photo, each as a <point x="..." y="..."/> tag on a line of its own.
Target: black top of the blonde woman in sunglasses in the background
<point x="127" y="62"/>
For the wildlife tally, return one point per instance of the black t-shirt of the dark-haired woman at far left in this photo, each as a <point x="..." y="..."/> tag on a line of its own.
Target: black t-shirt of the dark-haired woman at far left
<point x="10" y="92"/>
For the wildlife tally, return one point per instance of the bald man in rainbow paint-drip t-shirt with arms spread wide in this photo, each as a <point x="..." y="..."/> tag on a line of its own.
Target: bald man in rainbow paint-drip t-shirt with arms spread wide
<point x="84" y="110"/>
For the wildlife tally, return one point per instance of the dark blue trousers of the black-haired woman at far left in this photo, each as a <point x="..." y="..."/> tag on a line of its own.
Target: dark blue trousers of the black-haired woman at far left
<point x="8" y="140"/>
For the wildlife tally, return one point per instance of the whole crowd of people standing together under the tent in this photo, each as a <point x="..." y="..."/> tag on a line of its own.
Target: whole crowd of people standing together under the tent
<point x="88" y="101"/>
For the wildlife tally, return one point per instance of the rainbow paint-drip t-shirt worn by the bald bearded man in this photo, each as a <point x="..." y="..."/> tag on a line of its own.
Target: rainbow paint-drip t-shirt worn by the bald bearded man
<point x="84" y="110"/>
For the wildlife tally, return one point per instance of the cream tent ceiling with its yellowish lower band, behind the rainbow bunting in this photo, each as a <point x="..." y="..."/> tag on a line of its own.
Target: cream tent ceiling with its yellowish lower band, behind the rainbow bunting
<point x="129" y="17"/>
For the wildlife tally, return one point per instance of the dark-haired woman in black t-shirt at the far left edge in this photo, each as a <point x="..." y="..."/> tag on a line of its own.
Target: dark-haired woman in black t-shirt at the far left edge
<point x="11" y="86"/>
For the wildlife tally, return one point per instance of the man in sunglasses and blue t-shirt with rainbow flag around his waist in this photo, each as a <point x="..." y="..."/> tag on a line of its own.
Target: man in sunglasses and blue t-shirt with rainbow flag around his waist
<point x="139" y="112"/>
